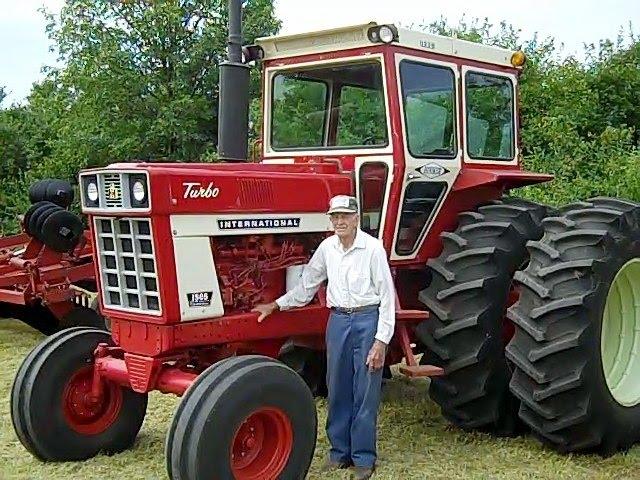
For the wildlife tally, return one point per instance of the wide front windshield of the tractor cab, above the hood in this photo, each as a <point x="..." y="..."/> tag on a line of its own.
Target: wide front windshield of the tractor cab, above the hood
<point x="329" y="107"/>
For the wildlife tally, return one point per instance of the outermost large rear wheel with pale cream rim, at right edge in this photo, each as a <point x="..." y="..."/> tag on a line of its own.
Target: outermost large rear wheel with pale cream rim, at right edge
<point x="577" y="321"/>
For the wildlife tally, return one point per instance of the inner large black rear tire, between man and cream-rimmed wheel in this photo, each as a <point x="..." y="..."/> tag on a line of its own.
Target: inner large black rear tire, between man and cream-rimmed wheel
<point x="467" y="297"/>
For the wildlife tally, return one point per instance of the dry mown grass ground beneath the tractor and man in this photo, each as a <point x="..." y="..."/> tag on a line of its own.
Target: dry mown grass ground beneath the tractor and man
<point x="414" y="441"/>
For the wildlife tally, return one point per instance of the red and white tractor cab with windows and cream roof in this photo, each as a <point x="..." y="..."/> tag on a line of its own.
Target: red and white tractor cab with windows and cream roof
<point x="407" y="113"/>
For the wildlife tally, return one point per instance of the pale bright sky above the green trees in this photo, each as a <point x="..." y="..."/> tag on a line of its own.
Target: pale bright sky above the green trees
<point x="24" y="46"/>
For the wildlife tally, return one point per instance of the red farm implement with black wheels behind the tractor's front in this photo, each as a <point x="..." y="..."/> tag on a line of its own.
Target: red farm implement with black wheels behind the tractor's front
<point x="47" y="277"/>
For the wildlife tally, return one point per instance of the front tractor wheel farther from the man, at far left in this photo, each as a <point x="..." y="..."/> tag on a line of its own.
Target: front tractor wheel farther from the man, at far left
<point x="51" y="409"/>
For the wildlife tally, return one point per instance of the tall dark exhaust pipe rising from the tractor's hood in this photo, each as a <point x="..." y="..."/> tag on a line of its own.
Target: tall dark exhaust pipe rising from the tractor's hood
<point x="233" y="96"/>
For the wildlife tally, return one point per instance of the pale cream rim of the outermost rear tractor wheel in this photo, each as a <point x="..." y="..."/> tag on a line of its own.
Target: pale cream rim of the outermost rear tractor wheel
<point x="620" y="335"/>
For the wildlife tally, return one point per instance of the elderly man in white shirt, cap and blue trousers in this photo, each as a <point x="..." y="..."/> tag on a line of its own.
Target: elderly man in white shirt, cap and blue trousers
<point x="361" y="296"/>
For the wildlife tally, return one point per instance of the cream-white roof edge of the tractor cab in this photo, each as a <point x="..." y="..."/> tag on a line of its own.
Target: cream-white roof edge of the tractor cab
<point x="355" y="36"/>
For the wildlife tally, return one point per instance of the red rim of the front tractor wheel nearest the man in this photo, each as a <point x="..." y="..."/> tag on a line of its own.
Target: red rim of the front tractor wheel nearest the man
<point x="261" y="445"/>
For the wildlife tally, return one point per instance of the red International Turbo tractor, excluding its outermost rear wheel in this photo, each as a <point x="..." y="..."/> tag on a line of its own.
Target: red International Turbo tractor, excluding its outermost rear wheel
<point x="423" y="129"/>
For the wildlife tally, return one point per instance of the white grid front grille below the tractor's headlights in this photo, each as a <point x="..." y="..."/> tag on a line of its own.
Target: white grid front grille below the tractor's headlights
<point x="127" y="264"/>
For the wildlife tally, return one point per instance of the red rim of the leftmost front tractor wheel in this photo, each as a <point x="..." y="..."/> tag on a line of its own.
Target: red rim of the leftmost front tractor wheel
<point x="82" y="413"/>
